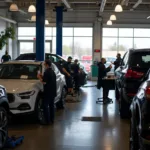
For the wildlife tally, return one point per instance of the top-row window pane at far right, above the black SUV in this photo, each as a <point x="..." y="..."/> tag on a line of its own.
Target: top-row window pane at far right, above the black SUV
<point x="141" y="32"/>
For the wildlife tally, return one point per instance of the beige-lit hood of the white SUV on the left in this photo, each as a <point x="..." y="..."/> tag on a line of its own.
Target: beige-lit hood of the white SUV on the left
<point x="18" y="86"/>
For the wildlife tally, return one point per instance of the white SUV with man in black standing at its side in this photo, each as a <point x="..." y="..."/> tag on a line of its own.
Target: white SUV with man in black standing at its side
<point x="24" y="89"/>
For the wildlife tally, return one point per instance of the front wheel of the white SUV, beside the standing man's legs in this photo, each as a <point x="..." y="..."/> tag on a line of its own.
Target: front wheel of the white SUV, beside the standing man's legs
<point x="39" y="110"/>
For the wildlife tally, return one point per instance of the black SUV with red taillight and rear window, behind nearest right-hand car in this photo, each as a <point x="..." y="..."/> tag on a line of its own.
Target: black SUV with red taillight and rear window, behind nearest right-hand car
<point x="129" y="77"/>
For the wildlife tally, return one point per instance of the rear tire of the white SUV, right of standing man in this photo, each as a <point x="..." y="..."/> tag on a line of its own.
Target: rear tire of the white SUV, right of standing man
<point x="61" y="103"/>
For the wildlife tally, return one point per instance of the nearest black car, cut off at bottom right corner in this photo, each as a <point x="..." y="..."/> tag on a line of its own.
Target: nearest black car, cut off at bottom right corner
<point x="140" y="118"/>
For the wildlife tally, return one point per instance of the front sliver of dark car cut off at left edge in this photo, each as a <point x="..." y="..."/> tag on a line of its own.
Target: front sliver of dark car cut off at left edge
<point x="4" y="109"/>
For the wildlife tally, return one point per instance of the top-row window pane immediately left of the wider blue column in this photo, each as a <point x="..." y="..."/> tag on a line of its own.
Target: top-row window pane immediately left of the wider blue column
<point x="26" y="31"/>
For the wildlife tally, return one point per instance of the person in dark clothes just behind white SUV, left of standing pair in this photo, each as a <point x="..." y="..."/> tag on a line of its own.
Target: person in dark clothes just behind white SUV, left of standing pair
<point x="67" y="72"/>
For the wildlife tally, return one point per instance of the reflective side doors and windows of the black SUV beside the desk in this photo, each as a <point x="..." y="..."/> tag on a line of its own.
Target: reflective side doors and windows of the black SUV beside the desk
<point x="119" y="73"/>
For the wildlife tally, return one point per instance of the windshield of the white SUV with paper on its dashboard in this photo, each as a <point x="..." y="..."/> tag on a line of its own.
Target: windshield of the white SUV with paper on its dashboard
<point x="18" y="71"/>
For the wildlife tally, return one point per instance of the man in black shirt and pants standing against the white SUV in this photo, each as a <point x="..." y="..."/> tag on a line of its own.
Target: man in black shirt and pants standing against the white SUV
<point x="49" y="82"/>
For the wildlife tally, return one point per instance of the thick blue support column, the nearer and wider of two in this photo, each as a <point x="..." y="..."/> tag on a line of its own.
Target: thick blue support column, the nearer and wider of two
<point x="40" y="30"/>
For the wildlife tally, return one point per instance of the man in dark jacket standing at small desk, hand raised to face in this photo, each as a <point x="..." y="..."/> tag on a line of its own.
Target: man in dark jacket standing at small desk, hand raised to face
<point x="102" y="72"/>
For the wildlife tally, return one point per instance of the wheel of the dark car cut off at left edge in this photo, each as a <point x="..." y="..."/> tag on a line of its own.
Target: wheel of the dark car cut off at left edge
<point x="3" y="127"/>
